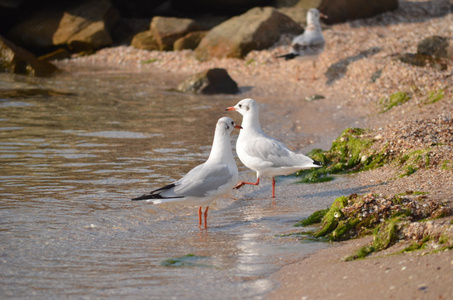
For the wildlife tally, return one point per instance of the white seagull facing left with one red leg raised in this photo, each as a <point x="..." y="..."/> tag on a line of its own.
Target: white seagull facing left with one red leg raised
<point x="261" y="153"/>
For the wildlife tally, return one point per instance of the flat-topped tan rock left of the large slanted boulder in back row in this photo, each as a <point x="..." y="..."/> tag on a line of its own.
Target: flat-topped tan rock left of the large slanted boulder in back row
<point x="167" y="30"/>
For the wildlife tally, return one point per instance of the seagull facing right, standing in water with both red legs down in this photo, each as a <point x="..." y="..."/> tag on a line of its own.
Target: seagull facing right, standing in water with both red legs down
<point x="206" y="182"/>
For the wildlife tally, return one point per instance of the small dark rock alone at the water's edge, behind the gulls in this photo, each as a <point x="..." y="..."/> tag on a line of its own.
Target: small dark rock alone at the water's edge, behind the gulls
<point x="212" y="81"/>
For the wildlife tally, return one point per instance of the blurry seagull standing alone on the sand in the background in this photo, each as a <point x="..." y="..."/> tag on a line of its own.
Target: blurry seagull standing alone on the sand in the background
<point x="311" y="43"/>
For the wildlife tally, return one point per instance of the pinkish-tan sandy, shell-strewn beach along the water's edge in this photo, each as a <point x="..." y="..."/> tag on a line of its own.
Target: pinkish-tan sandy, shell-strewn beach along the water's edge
<point x="358" y="68"/>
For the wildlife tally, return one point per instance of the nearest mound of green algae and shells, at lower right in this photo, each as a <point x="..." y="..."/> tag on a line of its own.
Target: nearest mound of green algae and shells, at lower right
<point x="371" y="214"/>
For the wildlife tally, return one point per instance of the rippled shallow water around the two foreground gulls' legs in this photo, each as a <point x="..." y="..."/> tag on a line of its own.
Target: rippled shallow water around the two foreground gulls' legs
<point x="72" y="158"/>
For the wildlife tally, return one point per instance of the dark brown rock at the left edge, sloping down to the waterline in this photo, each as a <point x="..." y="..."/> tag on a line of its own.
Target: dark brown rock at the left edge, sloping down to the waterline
<point x="18" y="60"/>
